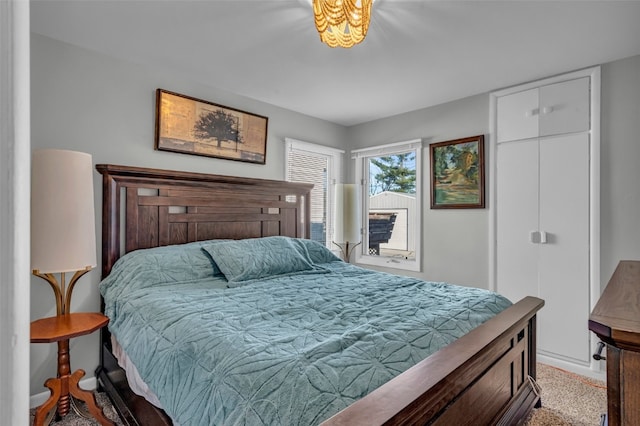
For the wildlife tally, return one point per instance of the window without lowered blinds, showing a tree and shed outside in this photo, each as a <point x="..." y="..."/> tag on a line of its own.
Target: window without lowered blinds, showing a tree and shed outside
<point x="391" y="179"/>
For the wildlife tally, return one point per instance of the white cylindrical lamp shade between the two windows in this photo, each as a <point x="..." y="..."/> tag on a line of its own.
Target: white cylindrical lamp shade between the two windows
<point x="347" y="213"/>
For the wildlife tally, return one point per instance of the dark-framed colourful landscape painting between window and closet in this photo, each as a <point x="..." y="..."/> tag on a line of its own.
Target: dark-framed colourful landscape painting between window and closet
<point x="457" y="173"/>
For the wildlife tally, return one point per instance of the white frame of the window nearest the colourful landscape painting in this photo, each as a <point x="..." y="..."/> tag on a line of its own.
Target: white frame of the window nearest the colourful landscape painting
<point x="361" y="157"/>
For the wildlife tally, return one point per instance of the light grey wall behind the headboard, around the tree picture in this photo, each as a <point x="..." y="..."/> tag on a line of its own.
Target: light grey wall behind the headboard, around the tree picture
<point x="92" y="103"/>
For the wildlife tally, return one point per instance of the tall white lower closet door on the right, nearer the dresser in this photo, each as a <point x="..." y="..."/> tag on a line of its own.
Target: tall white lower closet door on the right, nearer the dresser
<point x="564" y="259"/>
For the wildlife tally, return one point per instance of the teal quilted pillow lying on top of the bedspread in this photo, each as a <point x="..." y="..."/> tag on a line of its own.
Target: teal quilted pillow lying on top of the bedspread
<point x="255" y="258"/>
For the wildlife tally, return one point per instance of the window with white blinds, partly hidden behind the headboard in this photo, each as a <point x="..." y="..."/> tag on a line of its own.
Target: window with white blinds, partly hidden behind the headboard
<point x="321" y="166"/>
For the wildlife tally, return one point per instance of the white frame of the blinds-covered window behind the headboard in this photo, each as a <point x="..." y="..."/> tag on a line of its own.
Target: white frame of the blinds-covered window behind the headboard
<point x="334" y="173"/>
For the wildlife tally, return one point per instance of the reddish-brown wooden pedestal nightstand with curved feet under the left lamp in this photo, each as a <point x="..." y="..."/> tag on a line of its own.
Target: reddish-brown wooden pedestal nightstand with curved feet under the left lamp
<point x="60" y="329"/>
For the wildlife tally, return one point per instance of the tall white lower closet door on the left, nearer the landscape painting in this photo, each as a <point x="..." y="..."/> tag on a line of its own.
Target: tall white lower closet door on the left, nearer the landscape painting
<point x="517" y="217"/>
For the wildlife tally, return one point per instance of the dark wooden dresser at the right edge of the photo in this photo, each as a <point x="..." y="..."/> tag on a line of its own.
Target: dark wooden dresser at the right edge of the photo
<point x="616" y="321"/>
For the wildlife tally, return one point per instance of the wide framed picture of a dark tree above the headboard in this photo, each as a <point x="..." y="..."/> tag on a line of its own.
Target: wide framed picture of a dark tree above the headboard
<point x="193" y="126"/>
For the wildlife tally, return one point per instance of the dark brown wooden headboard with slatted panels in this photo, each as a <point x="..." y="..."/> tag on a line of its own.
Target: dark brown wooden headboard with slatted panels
<point x="164" y="207"/>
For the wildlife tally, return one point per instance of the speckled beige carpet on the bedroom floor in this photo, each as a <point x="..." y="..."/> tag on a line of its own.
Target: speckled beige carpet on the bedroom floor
<point x="567" y="400"/>
